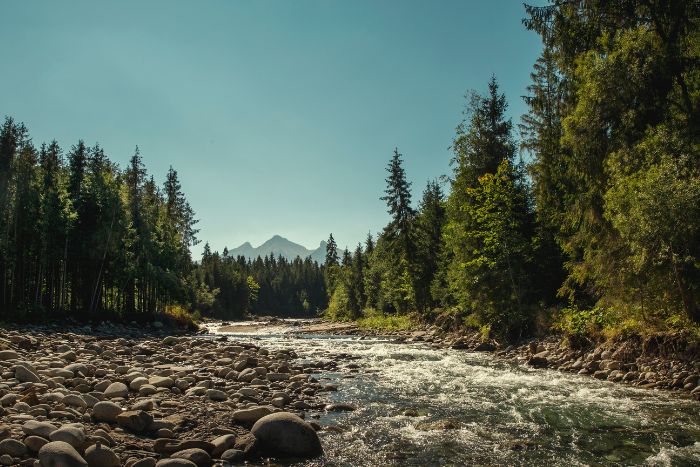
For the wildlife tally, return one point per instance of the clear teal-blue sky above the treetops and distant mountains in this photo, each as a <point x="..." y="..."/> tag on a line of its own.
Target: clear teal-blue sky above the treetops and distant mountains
<point x="279" y="116"/>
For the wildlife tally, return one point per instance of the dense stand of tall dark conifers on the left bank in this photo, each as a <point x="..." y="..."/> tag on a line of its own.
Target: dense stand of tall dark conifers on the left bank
<point x="80" y="235"/>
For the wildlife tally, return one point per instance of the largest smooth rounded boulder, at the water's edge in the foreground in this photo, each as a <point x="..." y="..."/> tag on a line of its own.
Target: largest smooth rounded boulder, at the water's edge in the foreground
<point x="285" y="434"/>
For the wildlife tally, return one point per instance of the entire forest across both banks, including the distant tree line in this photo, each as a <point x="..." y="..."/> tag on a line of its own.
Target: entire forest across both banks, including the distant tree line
<point x="584" y="215"/>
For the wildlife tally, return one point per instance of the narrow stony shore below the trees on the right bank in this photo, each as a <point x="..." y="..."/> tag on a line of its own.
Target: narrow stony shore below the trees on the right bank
<point x="661" y="362"/>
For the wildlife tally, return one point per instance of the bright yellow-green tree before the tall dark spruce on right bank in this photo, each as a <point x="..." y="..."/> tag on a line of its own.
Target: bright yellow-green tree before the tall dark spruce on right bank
<point x="492" y="252"/>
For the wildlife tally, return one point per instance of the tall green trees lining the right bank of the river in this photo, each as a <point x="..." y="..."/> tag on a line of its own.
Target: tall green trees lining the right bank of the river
<point x="589" y="222"/>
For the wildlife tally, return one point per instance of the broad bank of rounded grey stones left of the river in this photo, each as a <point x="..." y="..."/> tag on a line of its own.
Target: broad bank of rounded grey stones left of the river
<point x="114" y="395"/>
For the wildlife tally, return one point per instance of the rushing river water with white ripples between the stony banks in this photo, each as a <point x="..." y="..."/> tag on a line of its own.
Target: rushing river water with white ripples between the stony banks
<point x="423" y="406"/>
